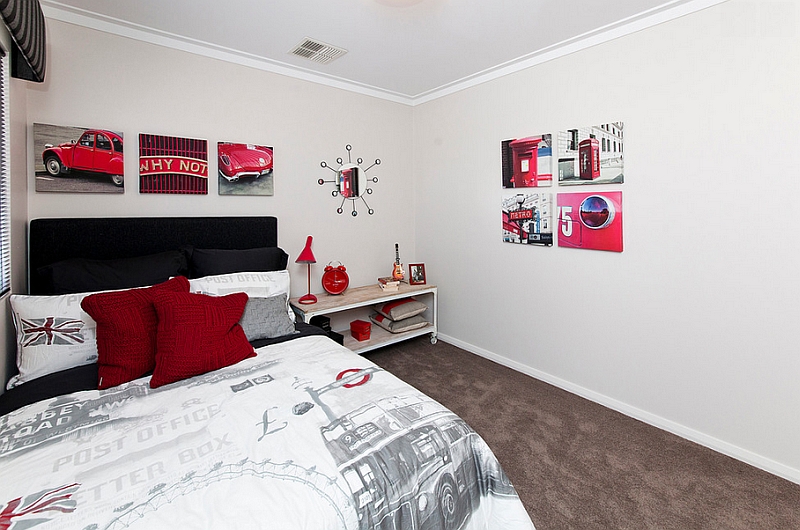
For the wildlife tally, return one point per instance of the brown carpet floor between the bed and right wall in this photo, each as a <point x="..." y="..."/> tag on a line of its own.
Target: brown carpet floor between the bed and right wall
<point x="577" y="464"/>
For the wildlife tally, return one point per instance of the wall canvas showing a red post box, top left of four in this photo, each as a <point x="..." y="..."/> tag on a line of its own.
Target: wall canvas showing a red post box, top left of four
<point x="527" y="162"/>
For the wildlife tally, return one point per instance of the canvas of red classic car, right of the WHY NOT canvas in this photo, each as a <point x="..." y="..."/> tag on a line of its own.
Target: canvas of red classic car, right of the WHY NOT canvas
<point x="245" y="169"/>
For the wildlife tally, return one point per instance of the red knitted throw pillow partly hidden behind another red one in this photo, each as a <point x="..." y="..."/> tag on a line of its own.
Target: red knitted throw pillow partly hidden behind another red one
<point x="126" y="330"/>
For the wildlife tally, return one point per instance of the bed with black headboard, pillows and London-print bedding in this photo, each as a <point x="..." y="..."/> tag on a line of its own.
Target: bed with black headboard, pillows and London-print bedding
<point x="245" y="418"/>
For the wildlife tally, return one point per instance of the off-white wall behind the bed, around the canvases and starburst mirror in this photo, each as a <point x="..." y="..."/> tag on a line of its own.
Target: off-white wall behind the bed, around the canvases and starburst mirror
<point x="96" y="79"/>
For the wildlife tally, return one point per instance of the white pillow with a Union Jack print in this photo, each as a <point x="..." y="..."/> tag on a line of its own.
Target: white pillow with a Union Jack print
<point x="53" y="334"/>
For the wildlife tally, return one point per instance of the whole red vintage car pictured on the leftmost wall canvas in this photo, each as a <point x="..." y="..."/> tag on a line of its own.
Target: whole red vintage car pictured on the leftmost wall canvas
<point x="97" y="151"/>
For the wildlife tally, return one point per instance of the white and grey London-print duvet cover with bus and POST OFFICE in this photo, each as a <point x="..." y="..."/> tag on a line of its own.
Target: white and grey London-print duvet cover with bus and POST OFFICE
<point x="306" y="435"/>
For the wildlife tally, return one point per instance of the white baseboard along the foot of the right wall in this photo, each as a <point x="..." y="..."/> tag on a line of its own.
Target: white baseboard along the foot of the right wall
<point x="748" y="457"/>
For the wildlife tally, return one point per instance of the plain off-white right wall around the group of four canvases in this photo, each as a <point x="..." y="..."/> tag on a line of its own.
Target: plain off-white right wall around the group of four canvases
<point x="693" y="326"/>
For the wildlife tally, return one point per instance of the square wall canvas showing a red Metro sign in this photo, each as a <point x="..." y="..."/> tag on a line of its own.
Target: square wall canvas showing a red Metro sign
<point x="528" y="218"/>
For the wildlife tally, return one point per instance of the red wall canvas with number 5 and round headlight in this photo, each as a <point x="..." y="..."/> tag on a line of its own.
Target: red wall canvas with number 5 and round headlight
<point x="591" y="221"/>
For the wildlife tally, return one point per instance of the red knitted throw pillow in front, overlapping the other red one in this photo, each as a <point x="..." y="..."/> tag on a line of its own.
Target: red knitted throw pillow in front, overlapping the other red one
<point x="198" y="333"/>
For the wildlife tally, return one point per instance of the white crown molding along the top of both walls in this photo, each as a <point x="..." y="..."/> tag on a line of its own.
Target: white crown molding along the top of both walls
<point x="671" y="10"/>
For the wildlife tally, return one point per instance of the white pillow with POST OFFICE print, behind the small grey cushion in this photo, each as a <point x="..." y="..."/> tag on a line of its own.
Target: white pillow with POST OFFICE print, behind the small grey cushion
<point x="255" y="284"/>
